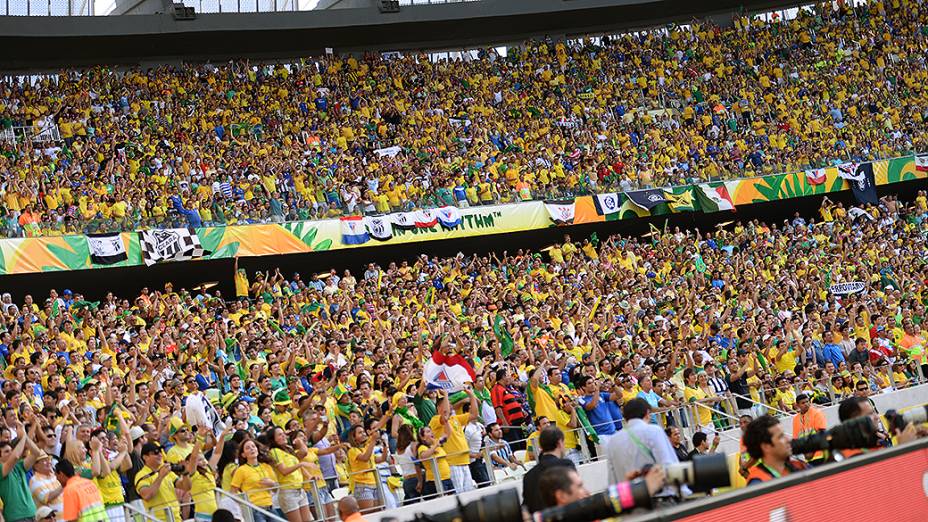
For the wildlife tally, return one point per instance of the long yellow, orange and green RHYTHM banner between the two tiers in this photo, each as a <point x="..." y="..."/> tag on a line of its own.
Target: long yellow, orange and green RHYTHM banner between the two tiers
<point x="61" y="253"/>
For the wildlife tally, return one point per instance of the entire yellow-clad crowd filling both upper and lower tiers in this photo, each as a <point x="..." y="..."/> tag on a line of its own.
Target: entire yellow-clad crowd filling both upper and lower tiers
<point x="303" y="388"/>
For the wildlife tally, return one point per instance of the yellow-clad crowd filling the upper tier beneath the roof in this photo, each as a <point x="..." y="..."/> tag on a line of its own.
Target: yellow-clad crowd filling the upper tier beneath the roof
<point x="243" y="143"/>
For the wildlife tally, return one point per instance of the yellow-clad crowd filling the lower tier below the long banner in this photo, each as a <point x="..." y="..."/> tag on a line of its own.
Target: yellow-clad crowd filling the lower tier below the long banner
<point x="318" y="382"/>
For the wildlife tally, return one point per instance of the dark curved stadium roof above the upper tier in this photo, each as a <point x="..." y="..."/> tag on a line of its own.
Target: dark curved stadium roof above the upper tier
<point x="34" y="43"/>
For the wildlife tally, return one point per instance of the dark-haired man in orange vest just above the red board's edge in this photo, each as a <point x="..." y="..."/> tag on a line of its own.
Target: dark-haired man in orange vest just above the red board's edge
<point x="767" y="442"/>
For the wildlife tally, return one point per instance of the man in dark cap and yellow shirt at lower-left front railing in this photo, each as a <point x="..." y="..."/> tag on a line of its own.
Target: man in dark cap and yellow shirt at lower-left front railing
<point x="156" y="483"/>
